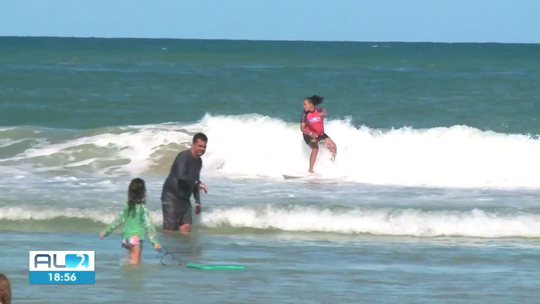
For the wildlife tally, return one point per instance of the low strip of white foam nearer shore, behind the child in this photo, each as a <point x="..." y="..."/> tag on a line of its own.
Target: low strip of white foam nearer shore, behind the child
<point x="375" y="221"/>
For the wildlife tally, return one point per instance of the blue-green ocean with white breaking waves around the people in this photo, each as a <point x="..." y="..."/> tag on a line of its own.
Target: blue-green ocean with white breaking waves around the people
<point x="433" y="197"/>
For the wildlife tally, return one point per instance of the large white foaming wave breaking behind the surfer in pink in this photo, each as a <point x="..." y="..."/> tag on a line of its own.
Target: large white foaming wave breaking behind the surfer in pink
<point x="260" y="146"/>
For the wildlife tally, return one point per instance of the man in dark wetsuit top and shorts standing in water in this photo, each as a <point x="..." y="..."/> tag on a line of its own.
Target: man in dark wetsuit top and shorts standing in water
<point x="183" y="180"/>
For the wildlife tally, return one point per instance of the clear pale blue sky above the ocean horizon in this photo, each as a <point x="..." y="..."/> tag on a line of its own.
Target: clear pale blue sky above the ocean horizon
<point x="506" y="21"/>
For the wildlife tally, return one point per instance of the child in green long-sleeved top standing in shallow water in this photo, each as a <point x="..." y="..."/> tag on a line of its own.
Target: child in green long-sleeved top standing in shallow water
<point x="136" y="219"/>
